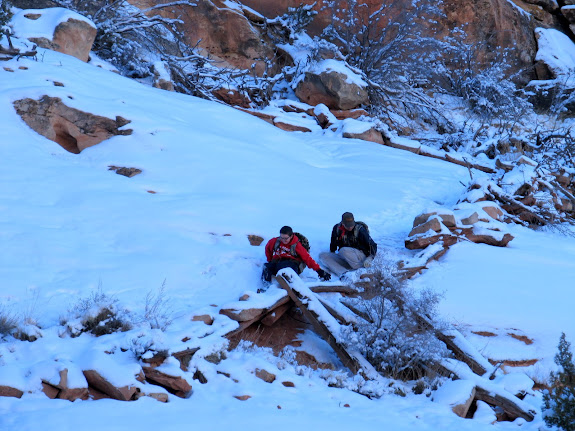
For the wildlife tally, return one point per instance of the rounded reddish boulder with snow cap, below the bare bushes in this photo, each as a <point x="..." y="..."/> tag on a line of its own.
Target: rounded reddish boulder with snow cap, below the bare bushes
<point x="330" y="82"/>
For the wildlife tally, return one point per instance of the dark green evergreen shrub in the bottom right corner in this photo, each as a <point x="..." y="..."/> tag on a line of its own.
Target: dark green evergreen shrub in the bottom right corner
<point x="559" y="402"/>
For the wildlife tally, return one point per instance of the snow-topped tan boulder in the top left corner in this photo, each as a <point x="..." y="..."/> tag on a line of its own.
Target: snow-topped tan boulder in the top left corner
<point x="57" y="29"/>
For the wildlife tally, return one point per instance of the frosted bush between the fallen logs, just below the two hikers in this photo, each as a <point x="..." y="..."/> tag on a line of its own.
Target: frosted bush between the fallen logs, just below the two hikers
<point x="392" y="336"/>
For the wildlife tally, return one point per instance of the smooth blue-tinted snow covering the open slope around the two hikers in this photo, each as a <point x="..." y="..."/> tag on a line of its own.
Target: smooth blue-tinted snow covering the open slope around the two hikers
<point x="212" y="175"/>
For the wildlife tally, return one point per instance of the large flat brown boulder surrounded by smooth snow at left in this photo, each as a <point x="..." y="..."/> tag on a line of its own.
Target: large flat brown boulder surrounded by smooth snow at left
<point x="73" y="129"/>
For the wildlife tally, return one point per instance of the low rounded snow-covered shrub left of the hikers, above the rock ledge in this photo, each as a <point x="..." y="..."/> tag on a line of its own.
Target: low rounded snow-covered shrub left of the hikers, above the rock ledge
<point x="98" y="314"/>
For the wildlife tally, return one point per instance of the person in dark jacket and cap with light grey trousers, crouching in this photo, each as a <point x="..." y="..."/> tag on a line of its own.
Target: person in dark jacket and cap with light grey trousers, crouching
<point x="355" y="248"/>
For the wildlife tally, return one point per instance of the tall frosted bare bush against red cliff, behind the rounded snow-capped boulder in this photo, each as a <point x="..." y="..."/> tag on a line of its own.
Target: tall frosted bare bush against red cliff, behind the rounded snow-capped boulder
<point x="386" y="44"/>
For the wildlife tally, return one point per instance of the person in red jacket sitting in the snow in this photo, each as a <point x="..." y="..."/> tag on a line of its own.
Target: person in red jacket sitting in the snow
<point x="286" y="251"/>
